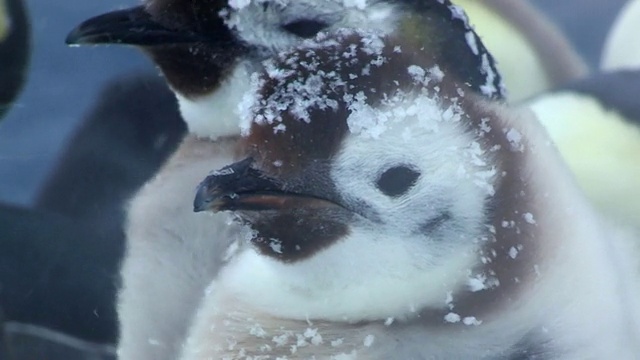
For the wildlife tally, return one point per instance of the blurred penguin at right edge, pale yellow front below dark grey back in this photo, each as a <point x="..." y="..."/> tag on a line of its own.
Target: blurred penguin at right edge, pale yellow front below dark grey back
<point x="595" y="123"/>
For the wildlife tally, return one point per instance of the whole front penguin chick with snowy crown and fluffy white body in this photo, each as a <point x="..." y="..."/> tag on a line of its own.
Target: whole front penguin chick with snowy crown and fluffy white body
<point x="393" y="213"/>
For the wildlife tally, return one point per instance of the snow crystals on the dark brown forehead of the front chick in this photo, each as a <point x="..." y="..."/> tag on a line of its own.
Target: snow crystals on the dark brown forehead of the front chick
<point x="301" y="85"/>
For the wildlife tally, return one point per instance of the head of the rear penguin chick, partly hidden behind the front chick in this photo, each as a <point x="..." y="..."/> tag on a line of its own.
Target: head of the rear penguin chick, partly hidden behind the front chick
<point x="207" y="49"/>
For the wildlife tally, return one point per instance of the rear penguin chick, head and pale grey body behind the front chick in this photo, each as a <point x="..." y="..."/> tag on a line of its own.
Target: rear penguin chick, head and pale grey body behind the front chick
<point x="173" y="254"/>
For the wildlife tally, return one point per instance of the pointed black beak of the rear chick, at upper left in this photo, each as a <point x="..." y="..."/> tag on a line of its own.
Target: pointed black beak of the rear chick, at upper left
<point x="132" y="26"/>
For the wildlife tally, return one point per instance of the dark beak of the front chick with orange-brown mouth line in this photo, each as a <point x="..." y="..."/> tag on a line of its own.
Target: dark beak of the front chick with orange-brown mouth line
<point x="241" y="187"/>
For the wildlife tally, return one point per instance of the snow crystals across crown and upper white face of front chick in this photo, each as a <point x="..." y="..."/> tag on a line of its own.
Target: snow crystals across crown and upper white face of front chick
<point x="301" y="84"/>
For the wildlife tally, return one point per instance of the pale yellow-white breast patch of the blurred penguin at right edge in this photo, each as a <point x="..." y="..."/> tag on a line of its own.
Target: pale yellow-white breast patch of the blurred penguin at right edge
<point x="601" y="148"/>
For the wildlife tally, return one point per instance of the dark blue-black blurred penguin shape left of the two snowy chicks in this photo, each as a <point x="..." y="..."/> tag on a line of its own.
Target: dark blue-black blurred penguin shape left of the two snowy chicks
<point x="59" y="262"/>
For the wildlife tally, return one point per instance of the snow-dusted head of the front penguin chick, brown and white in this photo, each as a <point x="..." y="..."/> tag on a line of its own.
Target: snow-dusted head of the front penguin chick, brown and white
<point x="370" y="169"/>
